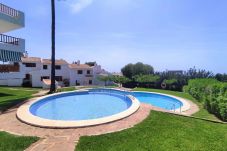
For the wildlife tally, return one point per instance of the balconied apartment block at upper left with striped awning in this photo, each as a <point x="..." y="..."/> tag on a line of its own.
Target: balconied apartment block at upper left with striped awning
<point x="11" y="48"/>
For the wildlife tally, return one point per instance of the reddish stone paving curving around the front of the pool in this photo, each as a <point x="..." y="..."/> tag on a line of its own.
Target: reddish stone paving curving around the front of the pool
<point x="66" y="139"/>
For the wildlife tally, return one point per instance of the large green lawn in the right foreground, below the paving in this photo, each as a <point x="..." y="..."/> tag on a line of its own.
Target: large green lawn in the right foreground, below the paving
<point x="162" y="132"/>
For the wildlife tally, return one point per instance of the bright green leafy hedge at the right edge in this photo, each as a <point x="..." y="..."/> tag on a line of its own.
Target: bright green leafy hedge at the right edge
<point x="212" y="93"/>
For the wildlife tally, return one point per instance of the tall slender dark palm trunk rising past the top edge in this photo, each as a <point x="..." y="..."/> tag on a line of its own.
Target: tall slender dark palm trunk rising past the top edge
<point x="52" y="86"/>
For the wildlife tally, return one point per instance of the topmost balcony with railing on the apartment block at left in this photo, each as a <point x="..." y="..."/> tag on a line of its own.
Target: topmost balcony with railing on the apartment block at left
<point x="10" y="19"/>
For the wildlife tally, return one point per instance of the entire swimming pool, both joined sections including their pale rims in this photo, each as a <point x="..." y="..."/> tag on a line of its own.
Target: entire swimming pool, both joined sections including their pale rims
<point x="91" y="107"/>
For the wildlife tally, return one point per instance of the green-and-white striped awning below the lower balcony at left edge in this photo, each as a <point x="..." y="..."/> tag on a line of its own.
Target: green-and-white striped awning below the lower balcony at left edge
<point x="6" y="56"/>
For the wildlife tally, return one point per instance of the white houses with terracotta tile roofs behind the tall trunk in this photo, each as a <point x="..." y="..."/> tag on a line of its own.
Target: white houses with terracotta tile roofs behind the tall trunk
<point x="33" y="70"/>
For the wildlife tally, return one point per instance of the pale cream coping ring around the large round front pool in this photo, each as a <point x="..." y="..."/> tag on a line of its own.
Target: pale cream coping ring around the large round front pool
<point x="23" y="114"/>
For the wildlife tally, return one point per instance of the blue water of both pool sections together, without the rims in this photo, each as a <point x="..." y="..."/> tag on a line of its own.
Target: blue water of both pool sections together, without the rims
<point x="96" y="103"/>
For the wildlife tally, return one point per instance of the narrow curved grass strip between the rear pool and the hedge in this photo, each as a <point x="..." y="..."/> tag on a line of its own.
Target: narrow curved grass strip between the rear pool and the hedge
<point x="202" y="113"/>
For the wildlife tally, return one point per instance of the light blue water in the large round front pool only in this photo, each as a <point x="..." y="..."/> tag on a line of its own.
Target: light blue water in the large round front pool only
<point x="80" y="106"/>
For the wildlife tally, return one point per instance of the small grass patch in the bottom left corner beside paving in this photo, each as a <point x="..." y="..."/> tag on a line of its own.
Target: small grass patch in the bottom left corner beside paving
<point x="9" y="142"/>
